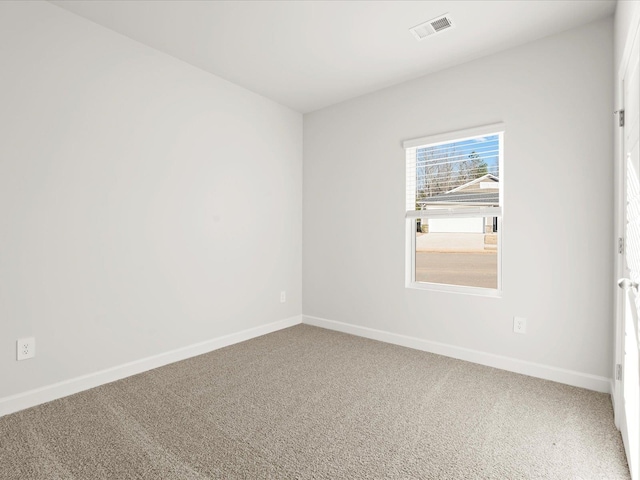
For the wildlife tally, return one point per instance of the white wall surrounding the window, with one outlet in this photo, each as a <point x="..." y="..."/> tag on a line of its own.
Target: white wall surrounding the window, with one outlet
<point x="556" y="97"/>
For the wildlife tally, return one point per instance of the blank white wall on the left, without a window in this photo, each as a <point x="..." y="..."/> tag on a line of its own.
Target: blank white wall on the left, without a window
<point x="144" y="205"/>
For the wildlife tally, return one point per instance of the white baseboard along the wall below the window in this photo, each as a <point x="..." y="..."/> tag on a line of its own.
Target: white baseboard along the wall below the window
<point x="569" y="377"/>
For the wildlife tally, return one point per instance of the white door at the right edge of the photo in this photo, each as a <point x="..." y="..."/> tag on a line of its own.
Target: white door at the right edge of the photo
<point x="628" y="344"/>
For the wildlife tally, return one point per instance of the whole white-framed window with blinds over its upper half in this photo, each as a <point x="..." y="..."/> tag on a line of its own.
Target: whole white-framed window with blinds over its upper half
<point x="454" y="211"/>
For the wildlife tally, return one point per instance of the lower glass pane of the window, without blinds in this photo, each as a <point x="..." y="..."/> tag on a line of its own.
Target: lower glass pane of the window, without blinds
<point x="457" y="251"/>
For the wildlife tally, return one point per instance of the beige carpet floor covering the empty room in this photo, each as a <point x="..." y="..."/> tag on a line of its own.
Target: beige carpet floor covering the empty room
<point x="307" y="403"/>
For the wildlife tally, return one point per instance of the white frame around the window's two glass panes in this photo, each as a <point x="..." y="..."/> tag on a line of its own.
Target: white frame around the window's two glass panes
<point x="411" y="216"/>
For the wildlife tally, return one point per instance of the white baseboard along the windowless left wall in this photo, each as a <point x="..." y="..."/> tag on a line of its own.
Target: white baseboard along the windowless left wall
<point x="41" y="395"/>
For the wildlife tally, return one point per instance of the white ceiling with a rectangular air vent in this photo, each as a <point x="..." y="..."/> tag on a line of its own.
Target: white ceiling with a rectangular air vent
<point x="311" y="54"/>
